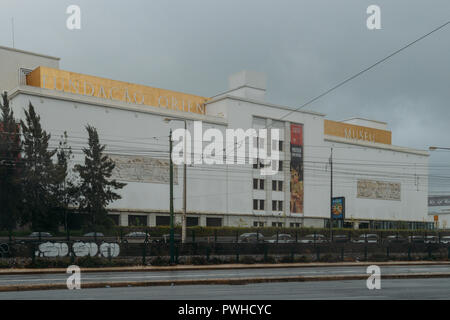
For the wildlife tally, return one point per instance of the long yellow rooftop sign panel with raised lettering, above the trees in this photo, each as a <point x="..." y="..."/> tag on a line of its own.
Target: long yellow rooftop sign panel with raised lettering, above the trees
<point x="76" y="83"/>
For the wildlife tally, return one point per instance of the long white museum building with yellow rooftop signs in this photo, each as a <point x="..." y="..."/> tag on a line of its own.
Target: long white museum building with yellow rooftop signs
<point x="375" y="184"/>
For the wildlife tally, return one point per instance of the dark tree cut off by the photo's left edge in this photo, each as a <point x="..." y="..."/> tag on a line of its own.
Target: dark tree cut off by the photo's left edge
<point x="10" y="172"/>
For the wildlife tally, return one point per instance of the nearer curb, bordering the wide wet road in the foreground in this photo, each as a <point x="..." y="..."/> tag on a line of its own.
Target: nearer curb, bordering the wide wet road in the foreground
<point x="231" y="281"/>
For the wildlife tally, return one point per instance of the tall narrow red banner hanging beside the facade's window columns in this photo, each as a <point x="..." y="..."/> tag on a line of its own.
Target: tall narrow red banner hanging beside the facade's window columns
<point x="296" y="168"/>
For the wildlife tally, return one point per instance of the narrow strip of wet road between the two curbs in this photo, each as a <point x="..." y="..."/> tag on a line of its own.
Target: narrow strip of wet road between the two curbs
<point x="214" y="274"/>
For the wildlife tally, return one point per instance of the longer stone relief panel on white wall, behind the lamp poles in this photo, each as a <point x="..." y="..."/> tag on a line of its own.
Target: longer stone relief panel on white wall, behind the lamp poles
<point x="143" y="169"/>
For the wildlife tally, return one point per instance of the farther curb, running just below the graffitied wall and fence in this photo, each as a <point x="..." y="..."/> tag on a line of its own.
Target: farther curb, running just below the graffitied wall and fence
<point x="222" y="267"/>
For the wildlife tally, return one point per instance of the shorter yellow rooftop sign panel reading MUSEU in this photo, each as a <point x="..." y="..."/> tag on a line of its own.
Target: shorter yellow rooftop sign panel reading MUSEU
<point x="356" y="133"/>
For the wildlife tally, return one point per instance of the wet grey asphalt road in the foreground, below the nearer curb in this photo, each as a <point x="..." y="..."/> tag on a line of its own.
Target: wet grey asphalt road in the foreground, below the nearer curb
<point x="405" y="289"/>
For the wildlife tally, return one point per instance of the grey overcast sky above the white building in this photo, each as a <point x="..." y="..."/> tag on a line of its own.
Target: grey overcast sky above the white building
<point x="305" y="47"/>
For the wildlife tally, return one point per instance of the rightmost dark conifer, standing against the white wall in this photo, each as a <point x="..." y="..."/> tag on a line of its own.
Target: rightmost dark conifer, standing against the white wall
<point x="97" y="189"/>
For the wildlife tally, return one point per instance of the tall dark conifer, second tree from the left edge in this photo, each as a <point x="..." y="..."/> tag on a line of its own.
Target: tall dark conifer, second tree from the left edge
<point x="38" y="174"/>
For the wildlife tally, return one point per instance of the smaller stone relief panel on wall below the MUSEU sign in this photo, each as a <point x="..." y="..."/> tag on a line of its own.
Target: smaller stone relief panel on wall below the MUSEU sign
<point x="379" y="190"/>
